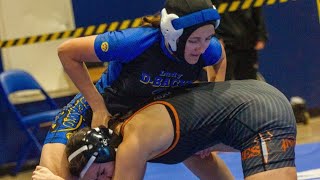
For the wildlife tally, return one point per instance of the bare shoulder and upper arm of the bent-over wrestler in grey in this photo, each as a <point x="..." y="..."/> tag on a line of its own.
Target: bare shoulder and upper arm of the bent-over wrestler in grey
<point x="147" y="134"/>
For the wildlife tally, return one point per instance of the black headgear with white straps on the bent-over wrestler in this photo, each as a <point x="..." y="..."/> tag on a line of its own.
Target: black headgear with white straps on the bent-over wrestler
<point x="99" y="145"/>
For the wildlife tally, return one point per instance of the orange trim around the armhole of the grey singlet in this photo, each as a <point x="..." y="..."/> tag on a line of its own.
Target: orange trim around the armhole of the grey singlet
<point x="177" y="125"/>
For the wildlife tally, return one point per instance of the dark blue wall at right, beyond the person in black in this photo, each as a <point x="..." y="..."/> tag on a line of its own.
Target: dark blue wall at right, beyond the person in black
<point x="291" y="59"/>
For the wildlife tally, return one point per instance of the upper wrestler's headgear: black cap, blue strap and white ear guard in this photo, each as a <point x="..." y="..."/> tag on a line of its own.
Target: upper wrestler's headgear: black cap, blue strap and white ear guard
<point x="179" y="15"/>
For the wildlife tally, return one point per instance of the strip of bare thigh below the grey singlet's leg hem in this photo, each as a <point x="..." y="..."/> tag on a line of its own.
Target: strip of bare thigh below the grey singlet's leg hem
<point x="286" y="173"/>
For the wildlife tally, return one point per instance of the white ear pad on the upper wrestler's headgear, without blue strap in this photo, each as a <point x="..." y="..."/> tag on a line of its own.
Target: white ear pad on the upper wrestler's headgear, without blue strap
<point x="170" y="34"/>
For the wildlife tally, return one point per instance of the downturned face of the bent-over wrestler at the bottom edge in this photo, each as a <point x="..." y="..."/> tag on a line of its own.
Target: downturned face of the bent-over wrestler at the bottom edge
<point x="100" y="171"/>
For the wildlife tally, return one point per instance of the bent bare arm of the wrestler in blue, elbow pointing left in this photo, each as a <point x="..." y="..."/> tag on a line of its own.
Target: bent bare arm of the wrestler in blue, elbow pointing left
<point x="72" y="54"/>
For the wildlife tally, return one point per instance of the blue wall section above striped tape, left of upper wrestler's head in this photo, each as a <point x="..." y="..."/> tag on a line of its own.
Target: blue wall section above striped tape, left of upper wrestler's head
<point x="102" y="11"/>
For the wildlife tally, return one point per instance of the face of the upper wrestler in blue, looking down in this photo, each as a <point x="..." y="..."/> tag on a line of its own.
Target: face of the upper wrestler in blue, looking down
<point x="198" y="42"/>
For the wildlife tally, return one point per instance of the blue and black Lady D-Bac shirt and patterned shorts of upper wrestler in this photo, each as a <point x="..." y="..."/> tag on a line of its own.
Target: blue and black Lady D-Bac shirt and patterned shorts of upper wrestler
<point x="139" y="66"/>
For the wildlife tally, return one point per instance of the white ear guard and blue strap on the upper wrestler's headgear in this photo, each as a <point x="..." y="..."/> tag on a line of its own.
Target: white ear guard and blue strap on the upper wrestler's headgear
<point x="172" y="25"/>
